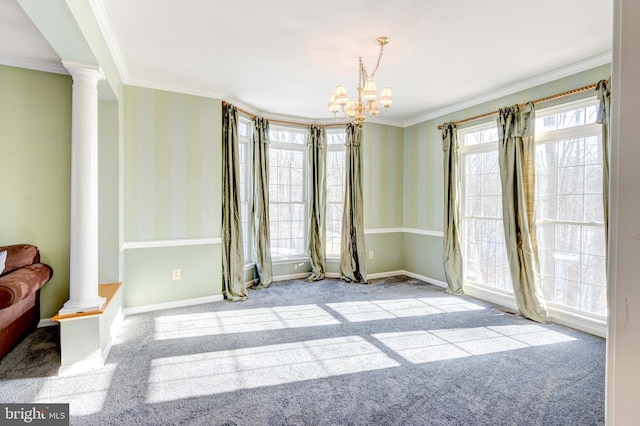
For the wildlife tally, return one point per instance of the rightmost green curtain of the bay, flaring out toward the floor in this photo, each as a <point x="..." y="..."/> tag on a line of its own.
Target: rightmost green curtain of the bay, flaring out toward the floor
<point x="352" y="247"/>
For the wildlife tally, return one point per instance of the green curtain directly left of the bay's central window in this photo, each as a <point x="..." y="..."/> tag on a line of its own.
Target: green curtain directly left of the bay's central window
<point x="260" y="208"/>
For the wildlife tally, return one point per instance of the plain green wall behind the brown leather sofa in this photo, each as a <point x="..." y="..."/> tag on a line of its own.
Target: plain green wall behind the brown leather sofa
<point x="35" y="141"/>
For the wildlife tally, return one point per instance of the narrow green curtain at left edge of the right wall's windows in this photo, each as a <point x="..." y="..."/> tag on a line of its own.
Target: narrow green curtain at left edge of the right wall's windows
<point x="452" y="249"/>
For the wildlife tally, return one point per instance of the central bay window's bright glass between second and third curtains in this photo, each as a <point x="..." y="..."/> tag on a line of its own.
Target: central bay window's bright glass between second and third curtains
<point x="287" y="191"/>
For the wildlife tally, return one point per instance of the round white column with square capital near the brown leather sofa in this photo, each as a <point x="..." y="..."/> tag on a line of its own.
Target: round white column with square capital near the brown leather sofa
<point x="83" y="272"/>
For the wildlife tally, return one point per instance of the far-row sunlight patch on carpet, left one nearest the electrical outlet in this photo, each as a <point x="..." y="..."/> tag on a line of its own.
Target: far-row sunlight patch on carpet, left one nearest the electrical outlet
<point x="241" y="321"/>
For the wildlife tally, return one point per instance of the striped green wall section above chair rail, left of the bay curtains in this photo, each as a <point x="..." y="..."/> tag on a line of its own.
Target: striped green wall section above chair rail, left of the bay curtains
<point x="172" y="161"/>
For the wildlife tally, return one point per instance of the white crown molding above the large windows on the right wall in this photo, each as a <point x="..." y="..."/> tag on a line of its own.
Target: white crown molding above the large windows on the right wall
<point x="566" y="71"/>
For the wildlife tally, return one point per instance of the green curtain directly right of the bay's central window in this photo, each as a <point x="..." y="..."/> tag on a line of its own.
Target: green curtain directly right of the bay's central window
<point x="317" y="147"/>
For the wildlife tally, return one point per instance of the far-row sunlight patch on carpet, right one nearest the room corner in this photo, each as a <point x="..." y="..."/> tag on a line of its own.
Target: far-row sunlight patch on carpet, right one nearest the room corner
<point x="371" y="310"/>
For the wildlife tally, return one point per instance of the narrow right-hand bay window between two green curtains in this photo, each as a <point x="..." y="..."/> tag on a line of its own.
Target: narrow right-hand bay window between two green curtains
<point x="336" y="161"/>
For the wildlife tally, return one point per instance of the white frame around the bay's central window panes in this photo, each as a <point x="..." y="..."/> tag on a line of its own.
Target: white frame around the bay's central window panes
<point x="303" y="148"/>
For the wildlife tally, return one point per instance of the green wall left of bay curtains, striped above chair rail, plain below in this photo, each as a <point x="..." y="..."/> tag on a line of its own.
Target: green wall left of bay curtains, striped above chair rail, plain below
<point x="172" y="190"/>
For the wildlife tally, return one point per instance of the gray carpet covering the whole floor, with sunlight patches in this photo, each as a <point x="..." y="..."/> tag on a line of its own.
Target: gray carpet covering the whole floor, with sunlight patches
<point x="396" y="352"/>
